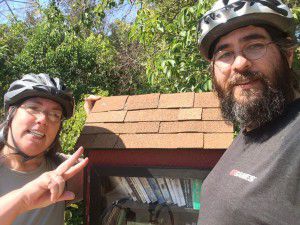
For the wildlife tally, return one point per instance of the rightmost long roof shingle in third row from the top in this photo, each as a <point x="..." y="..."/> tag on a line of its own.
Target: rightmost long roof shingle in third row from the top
<point x="195" y="126"/>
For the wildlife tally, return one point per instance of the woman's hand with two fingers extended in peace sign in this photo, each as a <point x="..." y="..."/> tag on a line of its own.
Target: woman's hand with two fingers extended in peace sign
<point x="50" y="186"/>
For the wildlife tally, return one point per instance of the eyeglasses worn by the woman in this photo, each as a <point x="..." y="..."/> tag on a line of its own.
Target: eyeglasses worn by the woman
<point x="54" y="116"/>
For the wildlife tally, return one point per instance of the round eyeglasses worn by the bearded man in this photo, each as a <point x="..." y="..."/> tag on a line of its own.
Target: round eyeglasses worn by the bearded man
<point x="252" y="51"/>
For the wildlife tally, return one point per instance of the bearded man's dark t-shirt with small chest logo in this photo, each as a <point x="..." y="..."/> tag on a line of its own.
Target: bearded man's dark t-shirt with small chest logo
<point x="257" y="180"/>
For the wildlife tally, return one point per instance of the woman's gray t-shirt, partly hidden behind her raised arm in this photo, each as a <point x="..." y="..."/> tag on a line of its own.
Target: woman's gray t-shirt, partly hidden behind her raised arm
<point x="11" y="180"/>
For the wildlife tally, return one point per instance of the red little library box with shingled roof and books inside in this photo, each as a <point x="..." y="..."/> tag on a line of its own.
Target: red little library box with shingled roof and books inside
<point x="148" y="156"/>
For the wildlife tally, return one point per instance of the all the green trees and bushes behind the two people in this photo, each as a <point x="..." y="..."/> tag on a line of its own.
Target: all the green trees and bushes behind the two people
<point x="157" y="53"/>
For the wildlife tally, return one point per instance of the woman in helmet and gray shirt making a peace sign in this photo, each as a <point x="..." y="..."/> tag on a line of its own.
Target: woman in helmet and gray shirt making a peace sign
<point x="33" y="188"/>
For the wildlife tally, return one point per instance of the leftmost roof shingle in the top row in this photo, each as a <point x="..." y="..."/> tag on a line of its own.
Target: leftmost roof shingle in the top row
<point x="110" y="103"/>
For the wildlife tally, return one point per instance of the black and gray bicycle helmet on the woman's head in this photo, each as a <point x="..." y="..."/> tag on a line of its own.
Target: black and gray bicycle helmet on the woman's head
<point x="40" y="85"/>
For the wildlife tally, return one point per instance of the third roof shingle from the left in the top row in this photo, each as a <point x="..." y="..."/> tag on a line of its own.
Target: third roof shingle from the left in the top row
<point x="178" y="100"/>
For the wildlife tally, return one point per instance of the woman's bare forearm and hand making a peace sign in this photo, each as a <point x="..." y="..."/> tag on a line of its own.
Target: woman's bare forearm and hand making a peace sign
<point x="42" y="191"/>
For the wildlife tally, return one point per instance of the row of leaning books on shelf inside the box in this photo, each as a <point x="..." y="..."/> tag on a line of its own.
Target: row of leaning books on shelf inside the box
<point x="180" y="192"/>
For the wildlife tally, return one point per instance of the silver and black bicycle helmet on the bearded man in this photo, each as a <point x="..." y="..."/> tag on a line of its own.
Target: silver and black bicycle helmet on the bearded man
<point x="228" y="15"/>
